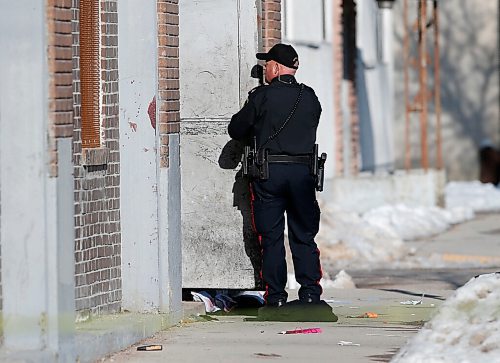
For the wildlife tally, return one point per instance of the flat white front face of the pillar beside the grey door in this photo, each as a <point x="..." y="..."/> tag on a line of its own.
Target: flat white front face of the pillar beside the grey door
<point x="137" y="42"/>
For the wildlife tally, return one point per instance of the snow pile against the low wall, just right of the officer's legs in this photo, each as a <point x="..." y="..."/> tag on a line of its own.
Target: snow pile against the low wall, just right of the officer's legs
<point x="377" y="236"/>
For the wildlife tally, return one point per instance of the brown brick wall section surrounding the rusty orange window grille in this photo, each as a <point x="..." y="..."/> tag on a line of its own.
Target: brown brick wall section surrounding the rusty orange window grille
<point x="97" y="184"/>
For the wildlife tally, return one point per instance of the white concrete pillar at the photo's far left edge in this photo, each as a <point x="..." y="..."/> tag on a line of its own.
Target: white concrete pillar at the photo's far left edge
<point x="37" y="210"/>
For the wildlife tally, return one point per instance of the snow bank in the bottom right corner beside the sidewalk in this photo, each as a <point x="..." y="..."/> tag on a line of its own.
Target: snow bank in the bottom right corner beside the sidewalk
<point x="466" y="328"/>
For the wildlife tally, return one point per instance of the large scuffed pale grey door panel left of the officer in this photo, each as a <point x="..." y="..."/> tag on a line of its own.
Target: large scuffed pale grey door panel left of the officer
<point x="217" y="50"/>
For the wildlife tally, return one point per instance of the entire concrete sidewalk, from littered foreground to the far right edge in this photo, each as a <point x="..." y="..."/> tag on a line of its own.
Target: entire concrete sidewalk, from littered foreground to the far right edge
<point x="234" y="339"/>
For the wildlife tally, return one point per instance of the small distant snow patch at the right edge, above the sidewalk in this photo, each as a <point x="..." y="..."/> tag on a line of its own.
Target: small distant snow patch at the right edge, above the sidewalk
<point x="475" y="195"/>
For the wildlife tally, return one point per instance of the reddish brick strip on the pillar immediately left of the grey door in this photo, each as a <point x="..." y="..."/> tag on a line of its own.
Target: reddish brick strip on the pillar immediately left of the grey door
<point x="168" y="75"/>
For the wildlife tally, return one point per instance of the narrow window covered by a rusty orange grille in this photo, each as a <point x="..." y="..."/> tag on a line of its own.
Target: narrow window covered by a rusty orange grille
<point x="90" y="73"/>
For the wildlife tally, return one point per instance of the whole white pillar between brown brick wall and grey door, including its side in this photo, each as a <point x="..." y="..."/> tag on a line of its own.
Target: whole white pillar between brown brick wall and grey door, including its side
<point x="151" y="252"/>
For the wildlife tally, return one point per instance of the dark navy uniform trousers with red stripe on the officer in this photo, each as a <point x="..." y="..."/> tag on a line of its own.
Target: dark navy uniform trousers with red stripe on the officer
<point x="290" y="189"/>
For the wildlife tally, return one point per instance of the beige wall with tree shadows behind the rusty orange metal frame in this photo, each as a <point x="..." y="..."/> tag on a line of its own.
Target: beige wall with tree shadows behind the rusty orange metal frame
<point x="469" y="90"/>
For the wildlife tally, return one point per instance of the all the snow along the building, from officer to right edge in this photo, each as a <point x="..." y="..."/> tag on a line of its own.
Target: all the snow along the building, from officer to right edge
<point x="377" y="237"/>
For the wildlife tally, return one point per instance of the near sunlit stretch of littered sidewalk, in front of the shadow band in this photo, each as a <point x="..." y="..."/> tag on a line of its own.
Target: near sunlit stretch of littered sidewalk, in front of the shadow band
<point x="232" y="339"/>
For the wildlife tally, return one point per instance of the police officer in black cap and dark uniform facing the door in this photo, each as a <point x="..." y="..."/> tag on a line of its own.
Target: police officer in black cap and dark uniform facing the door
<point x="284" y="116"/>
